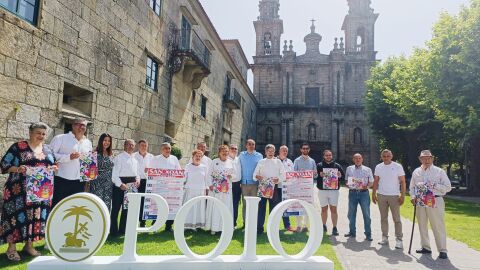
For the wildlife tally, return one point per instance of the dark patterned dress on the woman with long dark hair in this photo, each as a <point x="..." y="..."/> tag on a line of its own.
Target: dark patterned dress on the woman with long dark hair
<point x="103" y="185"/>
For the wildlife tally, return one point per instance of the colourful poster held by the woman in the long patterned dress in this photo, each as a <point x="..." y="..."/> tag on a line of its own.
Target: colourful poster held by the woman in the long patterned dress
<point x="39" y="184"/>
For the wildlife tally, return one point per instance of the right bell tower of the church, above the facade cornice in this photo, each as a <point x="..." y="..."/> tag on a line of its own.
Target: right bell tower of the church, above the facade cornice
<point x="359" y="27"/>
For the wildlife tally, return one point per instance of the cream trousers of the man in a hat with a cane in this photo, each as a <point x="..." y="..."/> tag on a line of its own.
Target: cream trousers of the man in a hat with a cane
<point x="436" y="216"/>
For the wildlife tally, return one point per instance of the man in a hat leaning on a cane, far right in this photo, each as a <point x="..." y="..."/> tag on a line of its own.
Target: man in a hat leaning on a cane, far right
<point x="437" y="182"/>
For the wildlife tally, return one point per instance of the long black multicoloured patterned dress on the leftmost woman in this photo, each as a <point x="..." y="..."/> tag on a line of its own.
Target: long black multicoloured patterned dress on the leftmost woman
<point x="22" y="221"/>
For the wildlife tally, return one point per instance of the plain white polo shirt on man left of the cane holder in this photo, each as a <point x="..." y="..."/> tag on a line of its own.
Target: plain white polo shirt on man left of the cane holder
<point x="389" y="183"/>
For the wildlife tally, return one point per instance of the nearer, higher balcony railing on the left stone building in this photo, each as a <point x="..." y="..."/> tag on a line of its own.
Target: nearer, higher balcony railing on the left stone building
<point x="192" y="44"/>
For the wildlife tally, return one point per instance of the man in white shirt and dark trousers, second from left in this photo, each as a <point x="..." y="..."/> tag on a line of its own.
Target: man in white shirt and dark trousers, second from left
<point x="67" y="149"/>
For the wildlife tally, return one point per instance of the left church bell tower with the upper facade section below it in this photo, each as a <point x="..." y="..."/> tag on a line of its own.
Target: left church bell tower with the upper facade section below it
<point x="267" y="75"/>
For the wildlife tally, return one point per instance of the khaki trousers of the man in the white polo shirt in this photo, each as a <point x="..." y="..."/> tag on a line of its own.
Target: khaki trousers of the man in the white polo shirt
<point x="384" y="203"/>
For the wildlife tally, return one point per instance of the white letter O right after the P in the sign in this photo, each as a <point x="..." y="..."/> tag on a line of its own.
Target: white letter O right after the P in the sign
<point x="227" y="229"/>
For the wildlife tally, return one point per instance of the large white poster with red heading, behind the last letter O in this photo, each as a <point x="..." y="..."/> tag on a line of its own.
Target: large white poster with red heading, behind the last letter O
<point x="298" y="185"/>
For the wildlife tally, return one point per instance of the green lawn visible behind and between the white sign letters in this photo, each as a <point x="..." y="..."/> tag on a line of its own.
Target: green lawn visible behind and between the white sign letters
<point x="201" y="242"/>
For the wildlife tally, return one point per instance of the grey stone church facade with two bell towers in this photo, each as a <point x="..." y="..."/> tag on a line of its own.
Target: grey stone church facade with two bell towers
<point x="315" y="97"/>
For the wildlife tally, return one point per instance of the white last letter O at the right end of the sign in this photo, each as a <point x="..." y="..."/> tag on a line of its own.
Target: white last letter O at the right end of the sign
<point x="316" y="230"/>
